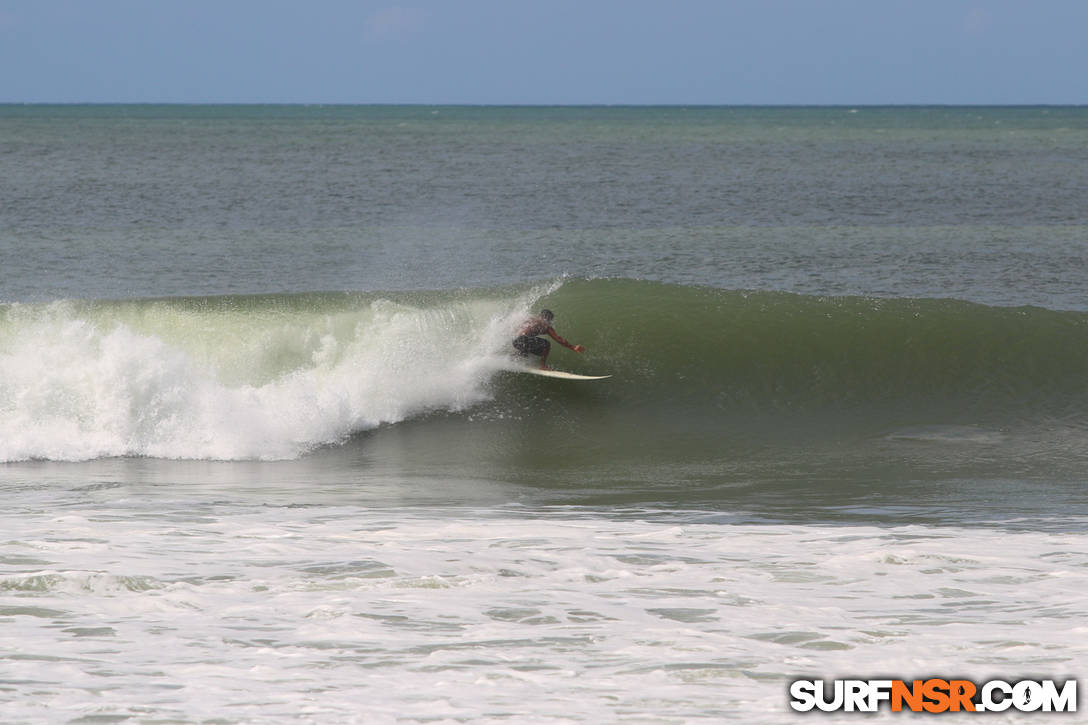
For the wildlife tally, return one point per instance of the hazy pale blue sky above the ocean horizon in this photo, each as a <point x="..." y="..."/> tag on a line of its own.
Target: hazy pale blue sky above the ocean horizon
<point x="553" y="52"/>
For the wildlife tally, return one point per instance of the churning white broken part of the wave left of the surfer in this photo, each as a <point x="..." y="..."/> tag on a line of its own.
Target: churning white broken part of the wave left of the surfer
<point x="79" y="383"/>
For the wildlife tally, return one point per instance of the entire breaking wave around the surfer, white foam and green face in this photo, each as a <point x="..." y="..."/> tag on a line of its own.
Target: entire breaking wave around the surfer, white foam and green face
<point x="277" y="376"/>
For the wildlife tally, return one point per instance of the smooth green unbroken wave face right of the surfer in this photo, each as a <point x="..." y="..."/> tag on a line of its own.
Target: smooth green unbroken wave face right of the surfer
<point x="730" y="353"/>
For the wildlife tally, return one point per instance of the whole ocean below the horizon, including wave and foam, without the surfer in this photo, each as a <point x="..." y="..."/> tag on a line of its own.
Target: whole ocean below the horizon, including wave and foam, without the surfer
<point x="264" y="459"/>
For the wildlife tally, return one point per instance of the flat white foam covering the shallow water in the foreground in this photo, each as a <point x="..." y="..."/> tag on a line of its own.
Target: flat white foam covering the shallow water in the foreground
<point x="351" y="615"/>
